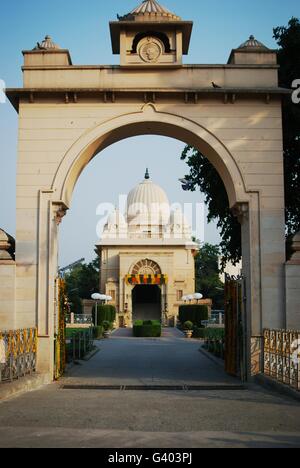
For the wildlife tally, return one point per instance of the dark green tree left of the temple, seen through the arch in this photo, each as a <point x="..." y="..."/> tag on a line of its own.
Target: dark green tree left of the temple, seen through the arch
<point x="82" y="281"/>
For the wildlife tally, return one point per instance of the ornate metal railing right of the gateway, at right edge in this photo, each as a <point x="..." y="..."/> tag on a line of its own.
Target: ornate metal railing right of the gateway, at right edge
<point x="282" y="356"/>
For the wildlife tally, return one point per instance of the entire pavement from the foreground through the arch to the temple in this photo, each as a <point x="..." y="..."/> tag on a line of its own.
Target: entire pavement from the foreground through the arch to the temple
<point x="56" y="417"/>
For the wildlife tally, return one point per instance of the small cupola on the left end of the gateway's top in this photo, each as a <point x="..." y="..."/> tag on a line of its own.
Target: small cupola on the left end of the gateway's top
<point x="47" y="53"/>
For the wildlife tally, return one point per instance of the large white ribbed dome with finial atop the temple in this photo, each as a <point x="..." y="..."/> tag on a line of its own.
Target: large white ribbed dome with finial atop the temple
<point x="148" y="204"/>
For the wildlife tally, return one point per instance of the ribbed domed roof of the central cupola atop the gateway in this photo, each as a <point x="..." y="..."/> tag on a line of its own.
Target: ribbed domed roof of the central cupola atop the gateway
<point x="150" y="9"/>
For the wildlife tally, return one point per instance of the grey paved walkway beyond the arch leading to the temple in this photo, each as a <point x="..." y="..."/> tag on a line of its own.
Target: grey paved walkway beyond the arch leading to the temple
<point x="170" y="360"/>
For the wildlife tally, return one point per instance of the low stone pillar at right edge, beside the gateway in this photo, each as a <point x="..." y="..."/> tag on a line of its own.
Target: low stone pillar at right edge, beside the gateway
<point x="292" y="286"/>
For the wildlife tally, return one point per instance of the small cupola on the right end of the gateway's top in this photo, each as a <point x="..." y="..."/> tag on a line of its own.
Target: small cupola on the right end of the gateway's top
<point x="253" y="52"/>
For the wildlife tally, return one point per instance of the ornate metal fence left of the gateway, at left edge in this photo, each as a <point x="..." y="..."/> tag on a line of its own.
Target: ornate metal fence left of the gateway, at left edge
<point x="17" y="354"/>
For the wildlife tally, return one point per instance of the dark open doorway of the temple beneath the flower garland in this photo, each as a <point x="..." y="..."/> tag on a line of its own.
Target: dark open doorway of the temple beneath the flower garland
<point x="146" y="303"/>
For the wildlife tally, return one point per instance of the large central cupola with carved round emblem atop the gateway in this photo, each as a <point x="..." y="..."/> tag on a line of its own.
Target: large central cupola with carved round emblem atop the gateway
<point x="150" y="36"/>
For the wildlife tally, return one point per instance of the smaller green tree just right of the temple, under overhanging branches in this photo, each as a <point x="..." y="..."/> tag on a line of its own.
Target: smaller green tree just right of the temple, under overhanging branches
<point x="208" y="275"/>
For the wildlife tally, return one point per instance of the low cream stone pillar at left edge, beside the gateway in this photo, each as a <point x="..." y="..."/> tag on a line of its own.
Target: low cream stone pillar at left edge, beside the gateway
<point x="7" y="282"/>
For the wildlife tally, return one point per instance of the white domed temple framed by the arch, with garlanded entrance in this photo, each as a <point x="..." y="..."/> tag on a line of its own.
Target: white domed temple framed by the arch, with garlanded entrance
<point x="147" y="257"/>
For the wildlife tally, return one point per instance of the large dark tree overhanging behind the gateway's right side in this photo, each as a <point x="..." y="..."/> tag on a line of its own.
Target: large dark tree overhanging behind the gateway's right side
<point x="203" y="175"/>
